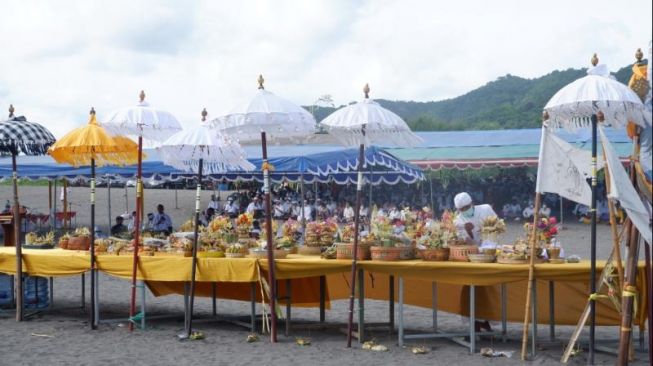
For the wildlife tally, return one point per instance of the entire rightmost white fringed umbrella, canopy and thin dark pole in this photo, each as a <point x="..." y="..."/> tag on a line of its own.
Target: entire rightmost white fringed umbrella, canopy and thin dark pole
<point x="583" y="103"/>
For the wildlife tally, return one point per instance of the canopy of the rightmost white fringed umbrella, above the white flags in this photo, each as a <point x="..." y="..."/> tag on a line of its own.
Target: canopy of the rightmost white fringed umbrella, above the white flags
<point x="572" y="106"/>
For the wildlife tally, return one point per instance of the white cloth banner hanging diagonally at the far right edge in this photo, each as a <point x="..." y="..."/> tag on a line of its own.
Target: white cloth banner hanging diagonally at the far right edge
<point x="622" y="190"/>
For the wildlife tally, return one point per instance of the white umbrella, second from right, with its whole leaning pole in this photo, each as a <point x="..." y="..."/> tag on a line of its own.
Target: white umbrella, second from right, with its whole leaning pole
<point x="365" y="123"/>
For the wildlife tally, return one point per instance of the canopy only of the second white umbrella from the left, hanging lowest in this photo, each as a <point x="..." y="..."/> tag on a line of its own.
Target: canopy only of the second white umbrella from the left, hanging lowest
<point x="219" y="153"/>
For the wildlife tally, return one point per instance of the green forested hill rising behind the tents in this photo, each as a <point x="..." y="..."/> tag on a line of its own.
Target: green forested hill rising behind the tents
<point x="508" y="102"/>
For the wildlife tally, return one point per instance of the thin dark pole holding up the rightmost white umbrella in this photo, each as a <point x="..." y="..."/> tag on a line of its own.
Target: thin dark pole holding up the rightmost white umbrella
<point x="593" y="243"/>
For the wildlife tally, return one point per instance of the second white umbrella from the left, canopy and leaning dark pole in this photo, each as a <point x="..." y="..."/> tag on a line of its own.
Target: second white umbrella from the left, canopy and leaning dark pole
<point x="193" y="150"/>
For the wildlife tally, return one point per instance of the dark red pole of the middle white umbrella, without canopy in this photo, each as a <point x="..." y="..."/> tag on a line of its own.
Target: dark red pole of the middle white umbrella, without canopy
<point x="268" y="238"/>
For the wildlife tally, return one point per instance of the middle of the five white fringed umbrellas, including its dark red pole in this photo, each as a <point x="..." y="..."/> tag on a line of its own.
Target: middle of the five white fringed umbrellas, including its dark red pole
<point x="259" y="118"/>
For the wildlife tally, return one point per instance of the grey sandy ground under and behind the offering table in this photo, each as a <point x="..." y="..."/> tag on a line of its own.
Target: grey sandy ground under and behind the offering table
<point x="62" y="336"/>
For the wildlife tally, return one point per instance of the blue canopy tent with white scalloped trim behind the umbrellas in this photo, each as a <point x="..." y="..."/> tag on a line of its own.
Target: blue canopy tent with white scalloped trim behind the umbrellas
<point x="330" y="166"/>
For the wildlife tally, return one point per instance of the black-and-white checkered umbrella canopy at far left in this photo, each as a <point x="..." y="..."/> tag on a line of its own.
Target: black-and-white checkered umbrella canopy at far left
<point x="20" y="136"/>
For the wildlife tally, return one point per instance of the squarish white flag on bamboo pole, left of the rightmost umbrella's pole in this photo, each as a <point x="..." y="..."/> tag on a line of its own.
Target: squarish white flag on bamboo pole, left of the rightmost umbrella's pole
<point x="563" y="169"/>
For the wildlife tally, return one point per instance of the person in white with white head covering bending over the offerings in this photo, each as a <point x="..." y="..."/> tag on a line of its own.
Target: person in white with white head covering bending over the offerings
<point x="469" y="218"/>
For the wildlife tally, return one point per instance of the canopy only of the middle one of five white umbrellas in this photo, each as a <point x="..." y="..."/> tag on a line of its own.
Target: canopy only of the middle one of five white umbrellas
<point x="280" y="119"/>
